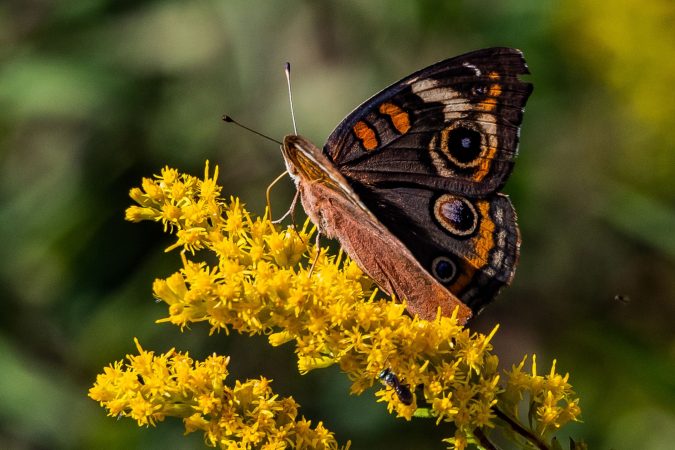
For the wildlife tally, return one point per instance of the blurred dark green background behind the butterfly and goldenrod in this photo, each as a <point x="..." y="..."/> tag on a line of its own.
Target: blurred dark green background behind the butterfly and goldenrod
<point x="96" y="94"/>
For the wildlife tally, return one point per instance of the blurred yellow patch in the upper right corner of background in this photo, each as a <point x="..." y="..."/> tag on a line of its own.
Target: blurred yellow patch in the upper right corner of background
<point x="628" y="50"/>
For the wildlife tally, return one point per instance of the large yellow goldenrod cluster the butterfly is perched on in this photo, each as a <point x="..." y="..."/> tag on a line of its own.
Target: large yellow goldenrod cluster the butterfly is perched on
<point x="268" y="280"/>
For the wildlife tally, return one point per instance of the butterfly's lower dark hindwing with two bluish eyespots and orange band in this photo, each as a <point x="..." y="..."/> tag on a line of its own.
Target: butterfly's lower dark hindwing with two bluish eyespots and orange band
<point x="469" y="245"/>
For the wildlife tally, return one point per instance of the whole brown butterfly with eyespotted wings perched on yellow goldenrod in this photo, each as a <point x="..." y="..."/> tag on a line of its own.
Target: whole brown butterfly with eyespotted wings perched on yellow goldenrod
<point x="409" y="182"/>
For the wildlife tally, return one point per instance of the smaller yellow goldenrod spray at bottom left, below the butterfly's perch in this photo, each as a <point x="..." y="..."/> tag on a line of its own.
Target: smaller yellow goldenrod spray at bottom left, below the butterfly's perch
<point x="149" y="388"/>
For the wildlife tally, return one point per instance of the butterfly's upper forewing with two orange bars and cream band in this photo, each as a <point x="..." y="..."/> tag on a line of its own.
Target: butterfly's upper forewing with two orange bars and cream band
<point x="452" y="126"/>
